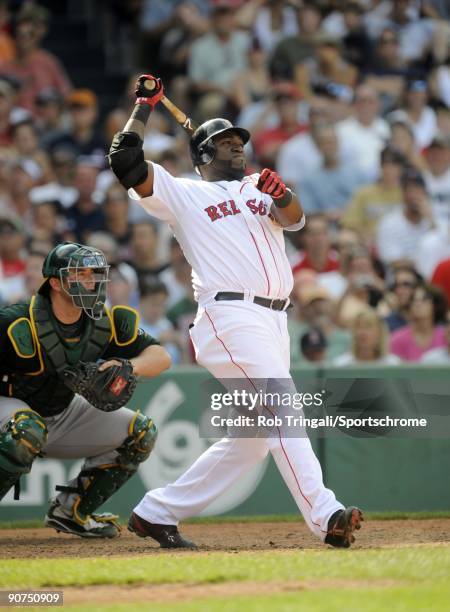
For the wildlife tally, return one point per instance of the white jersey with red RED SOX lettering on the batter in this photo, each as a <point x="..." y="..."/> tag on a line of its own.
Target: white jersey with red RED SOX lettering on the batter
<point x="226" y="231"/>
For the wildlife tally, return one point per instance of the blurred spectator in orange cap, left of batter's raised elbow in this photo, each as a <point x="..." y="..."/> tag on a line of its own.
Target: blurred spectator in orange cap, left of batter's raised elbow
<point x="84" y="136"/>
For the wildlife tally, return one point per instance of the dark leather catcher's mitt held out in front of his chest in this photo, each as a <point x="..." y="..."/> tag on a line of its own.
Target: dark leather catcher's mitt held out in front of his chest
<point x="107" y="390"/>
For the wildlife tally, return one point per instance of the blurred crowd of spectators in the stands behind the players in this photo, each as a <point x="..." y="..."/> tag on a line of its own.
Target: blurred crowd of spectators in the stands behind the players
<point x="348" y="100"/>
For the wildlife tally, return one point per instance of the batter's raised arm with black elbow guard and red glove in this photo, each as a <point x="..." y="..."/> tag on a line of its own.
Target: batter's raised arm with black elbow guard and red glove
<point x="126" y="156"/>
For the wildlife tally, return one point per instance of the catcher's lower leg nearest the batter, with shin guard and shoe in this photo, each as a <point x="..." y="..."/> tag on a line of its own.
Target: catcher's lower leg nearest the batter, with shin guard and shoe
<point x="97" y="484"/>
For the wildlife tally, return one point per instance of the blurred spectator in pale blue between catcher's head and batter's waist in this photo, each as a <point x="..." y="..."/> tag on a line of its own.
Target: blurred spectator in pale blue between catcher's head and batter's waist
<point x="152" y="307"/>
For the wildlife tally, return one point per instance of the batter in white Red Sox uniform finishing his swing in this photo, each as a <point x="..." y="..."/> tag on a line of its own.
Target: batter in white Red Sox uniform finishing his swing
<point x="230" y="227"/>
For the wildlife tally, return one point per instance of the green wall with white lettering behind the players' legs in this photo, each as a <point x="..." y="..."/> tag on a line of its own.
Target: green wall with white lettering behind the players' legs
<point x="381" y="471"/>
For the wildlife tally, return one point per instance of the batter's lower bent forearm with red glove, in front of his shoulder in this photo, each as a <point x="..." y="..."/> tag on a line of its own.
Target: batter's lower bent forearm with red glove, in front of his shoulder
<point x="287" y="208"/>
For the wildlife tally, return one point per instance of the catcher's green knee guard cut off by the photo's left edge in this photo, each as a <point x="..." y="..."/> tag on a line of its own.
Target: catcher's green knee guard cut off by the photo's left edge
<point x="21" y="442"/>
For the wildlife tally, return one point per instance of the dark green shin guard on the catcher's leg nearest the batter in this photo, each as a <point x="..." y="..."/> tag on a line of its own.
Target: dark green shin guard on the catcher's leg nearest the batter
<point x="98" y="484"/>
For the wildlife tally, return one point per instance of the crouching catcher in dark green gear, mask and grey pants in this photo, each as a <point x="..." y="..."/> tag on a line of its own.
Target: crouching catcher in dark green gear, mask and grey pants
<point x="41" y="342"/>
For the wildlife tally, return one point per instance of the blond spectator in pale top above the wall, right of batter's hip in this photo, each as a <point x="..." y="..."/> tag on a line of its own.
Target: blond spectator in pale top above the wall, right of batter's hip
<point x="315" y="309"/>
